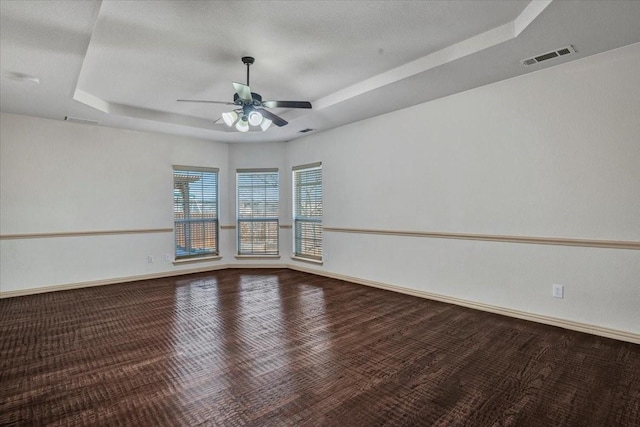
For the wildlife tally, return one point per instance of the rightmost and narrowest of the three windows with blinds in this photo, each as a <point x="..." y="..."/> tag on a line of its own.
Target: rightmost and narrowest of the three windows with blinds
<point x="307" y="211"/>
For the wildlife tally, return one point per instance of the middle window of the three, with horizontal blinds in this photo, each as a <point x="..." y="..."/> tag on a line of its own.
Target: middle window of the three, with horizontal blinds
<point x="258" y="210"/>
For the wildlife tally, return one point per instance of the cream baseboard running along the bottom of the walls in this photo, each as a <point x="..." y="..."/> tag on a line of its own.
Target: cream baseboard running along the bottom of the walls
<point x="547" y="320"/>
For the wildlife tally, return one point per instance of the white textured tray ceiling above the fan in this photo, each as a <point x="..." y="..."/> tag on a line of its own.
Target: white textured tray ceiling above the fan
<point x="125" y="63"/>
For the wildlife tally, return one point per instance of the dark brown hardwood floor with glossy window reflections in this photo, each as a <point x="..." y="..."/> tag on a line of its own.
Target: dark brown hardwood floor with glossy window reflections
<point x="279" y="347"/>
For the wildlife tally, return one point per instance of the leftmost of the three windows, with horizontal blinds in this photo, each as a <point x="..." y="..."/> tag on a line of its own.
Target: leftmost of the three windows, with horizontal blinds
<point x="195" y="211"/>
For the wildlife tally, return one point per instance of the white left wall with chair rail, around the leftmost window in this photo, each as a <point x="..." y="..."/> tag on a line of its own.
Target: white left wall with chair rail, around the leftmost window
<point x="61" y="177"/>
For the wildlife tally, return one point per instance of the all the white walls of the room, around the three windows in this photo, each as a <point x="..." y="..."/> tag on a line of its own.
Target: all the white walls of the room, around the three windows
<point x="555" y="153"/>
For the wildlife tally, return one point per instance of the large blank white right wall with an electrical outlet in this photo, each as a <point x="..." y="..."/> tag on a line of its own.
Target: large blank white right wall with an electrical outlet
<point x="555" y="153"/>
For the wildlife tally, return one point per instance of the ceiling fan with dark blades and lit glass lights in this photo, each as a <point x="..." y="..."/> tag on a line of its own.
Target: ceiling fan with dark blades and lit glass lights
<point x="250" y="106"/>
